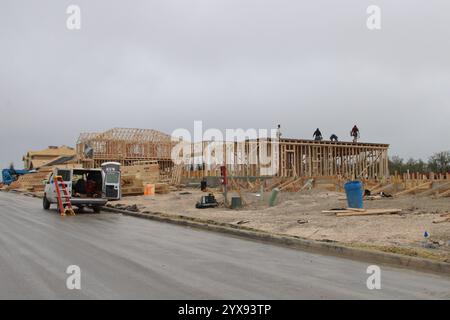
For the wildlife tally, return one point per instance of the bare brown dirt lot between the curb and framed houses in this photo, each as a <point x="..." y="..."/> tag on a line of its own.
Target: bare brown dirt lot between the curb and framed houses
<point x="300" y="214"/>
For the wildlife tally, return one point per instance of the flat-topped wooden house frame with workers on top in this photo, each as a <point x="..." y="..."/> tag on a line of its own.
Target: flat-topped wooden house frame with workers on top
<point x="296" y="158"/>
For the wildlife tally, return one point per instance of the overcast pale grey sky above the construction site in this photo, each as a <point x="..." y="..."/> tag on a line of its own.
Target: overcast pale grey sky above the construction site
<point x="232" y="63"/>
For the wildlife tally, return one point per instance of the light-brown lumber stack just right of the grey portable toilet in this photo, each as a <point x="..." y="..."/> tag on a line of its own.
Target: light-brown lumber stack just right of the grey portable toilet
<point x="135" y="177"/>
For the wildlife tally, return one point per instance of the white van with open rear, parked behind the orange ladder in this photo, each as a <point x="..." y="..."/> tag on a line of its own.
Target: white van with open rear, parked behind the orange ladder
<point x="85" y="187"/>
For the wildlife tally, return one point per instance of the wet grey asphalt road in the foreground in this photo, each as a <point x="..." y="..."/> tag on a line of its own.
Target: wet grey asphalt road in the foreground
<point x="126" y="257"/>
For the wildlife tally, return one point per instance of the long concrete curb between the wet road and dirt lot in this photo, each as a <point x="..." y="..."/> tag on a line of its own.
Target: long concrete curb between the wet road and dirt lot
<point x="334" y="249"/>
